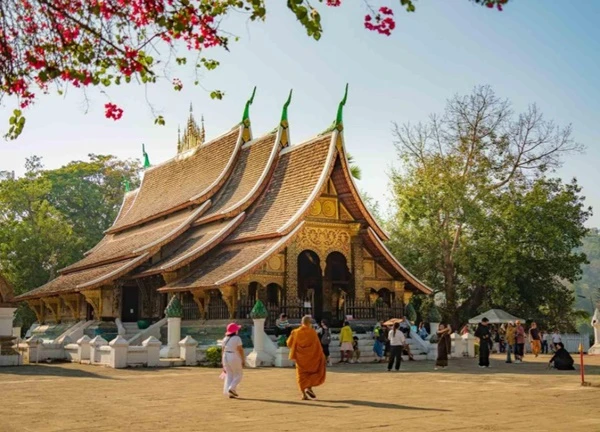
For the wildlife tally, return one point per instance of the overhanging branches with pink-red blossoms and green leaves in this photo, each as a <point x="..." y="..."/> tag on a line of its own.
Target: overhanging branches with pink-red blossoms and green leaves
<point x="60" y="43"/>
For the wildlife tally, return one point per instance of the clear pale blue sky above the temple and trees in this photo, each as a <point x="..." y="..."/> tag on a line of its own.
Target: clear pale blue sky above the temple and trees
<point x="546" y="52"/>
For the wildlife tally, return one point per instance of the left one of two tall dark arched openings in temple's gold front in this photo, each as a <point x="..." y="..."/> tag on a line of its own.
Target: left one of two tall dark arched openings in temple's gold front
<point x="310" y="283"/>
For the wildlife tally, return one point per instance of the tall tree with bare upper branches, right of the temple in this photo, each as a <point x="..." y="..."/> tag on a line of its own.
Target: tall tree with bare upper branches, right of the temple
<point x="470" y="184"/>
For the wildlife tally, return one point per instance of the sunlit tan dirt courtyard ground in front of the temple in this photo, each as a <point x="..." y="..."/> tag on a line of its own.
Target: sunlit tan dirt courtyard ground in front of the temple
<point x="69" y="397"/>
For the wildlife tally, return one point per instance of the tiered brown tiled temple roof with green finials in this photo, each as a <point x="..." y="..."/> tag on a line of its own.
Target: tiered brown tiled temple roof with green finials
<point x="223" y="208"/>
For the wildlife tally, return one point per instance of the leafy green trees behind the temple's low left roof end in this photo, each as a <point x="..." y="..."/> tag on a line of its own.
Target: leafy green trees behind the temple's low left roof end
<point x="49" y="218"/>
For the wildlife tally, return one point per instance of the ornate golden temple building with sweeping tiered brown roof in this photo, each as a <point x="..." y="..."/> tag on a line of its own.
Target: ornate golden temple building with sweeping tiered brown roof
<point x="232" y="220"/>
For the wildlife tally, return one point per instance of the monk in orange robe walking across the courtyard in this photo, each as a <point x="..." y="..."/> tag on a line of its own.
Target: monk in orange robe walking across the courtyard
<point x="306" y="351"/>
